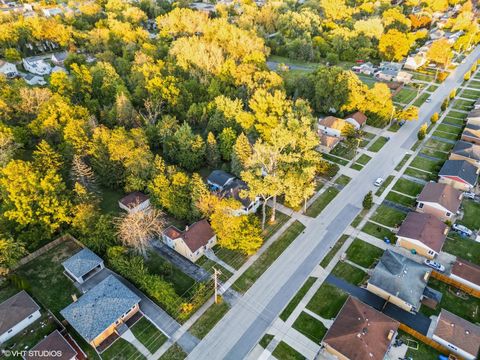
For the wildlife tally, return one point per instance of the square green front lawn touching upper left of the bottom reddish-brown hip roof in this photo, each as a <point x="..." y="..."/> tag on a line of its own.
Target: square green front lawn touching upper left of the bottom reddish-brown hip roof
<point x="327" y="301"/>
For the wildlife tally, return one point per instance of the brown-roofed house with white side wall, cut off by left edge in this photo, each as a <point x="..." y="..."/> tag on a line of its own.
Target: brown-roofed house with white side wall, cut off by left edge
<point x="16" y="313"/>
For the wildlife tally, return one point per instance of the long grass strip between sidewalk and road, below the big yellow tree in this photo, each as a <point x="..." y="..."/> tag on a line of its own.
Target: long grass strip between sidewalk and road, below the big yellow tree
<point x="249" y="277"/>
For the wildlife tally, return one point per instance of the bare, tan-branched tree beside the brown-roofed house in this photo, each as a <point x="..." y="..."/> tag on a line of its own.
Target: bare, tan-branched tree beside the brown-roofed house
<point x="136" y="229"/>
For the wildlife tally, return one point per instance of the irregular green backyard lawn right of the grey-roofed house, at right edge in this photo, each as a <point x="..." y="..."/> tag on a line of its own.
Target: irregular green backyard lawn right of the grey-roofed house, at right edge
<point x="467" y="309"/>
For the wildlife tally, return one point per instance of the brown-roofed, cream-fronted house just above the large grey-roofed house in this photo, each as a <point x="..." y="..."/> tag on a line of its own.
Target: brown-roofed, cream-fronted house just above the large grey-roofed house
<point x="423" y="234"/>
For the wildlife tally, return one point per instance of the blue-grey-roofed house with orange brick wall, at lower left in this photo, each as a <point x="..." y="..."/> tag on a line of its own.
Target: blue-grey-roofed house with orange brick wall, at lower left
<point x="97" y="314"/>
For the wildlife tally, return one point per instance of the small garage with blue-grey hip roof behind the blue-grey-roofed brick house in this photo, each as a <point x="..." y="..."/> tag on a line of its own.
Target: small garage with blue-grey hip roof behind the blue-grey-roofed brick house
<point x="83" y="265"/>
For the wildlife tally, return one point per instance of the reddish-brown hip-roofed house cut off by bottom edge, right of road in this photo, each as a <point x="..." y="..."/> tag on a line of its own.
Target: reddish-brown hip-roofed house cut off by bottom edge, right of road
<point x="360" y="332"/>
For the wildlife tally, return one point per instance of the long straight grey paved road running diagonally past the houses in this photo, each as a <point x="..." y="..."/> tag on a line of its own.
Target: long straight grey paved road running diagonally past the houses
<point x="243" y="326"/>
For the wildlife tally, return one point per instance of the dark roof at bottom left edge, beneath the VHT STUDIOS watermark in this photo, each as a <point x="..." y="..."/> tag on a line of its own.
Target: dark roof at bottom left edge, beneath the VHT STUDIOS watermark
<point x="54" y="342"/>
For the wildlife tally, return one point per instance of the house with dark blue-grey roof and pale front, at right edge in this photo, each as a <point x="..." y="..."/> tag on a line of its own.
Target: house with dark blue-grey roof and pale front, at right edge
<point x="459" y="173"/>
